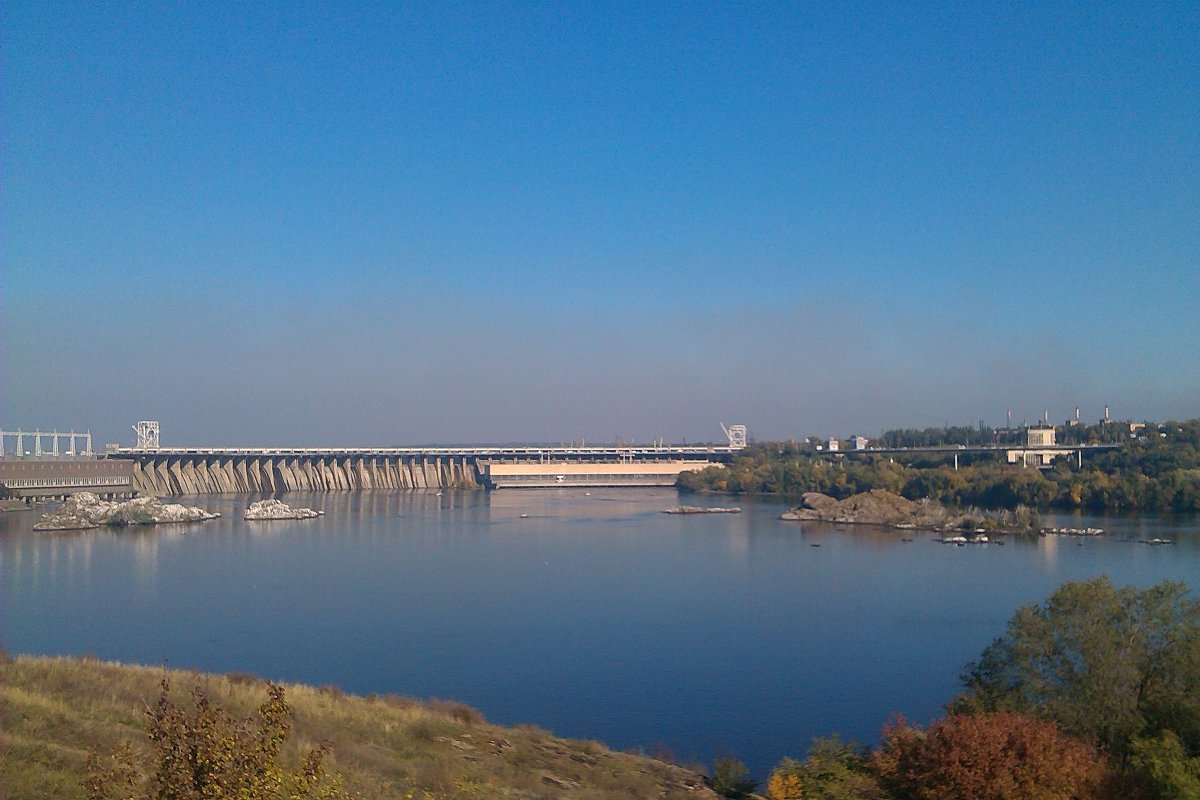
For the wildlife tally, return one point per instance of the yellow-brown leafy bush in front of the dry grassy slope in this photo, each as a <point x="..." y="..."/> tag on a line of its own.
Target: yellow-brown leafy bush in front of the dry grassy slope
<point x="202" y="754"/>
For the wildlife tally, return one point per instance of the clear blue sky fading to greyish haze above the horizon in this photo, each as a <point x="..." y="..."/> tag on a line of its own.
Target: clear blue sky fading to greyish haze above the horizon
<point x="411" y="224"/>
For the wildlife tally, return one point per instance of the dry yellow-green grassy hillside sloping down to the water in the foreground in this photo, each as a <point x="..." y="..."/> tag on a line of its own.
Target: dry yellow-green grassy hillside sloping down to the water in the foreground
<point x="55" y="709"/>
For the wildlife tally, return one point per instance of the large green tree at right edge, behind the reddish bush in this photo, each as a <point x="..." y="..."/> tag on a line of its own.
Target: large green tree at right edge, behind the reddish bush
<point x="1103" y="663"/>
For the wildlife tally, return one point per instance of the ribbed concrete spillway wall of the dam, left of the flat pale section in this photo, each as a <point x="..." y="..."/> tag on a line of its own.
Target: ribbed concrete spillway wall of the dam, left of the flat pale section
<point x="272" y="474"/>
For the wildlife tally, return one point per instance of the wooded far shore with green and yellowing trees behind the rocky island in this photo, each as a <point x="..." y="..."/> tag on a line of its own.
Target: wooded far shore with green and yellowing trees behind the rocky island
<point x="1155" y="468"/>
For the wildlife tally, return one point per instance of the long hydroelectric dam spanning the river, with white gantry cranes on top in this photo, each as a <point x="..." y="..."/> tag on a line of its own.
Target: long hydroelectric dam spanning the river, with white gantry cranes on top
<point x="259" y="471"/>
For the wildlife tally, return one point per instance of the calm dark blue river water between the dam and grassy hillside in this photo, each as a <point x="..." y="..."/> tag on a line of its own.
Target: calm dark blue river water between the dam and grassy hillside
<point x="596" y="617"/>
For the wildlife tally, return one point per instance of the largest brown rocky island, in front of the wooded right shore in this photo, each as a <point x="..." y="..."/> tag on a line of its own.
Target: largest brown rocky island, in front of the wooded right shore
<point x="881" y="508"/>
